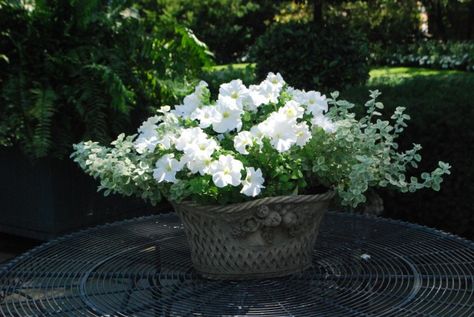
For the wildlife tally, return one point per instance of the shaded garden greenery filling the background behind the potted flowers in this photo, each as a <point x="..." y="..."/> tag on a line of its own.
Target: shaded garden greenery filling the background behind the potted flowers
<point x="75" y="70"/>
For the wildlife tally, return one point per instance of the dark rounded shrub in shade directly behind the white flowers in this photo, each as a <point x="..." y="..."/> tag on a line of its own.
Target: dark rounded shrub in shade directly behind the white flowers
<point x="329" y="58"/>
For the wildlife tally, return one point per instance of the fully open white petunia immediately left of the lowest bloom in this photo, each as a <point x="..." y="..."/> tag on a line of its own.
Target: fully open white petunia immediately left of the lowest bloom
<point x="226" y="171"/>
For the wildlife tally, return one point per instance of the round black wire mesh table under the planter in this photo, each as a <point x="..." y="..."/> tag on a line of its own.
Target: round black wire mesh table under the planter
<point x="141" y="267"/>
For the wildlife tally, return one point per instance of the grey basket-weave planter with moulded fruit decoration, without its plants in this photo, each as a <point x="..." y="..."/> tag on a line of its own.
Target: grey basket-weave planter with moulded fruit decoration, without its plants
<point x="263" y="238"/>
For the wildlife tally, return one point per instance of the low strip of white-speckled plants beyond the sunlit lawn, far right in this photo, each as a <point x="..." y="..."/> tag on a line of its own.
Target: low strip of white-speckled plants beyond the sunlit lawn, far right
<point x="427" y="53"/>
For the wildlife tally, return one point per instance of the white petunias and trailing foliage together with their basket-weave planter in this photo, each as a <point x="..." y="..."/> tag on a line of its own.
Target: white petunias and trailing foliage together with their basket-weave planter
<point x="252" y="173"/>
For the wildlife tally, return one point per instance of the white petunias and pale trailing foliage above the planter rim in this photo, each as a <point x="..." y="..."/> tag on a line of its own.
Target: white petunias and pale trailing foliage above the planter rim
<point x="263" y="140"/>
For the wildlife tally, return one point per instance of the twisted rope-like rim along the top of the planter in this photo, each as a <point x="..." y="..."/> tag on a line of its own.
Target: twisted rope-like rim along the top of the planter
<point x="236" y="207"/>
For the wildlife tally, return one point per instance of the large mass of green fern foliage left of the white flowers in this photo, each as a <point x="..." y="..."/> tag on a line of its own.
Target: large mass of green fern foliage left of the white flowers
<point x="85" y="69"/>
